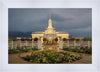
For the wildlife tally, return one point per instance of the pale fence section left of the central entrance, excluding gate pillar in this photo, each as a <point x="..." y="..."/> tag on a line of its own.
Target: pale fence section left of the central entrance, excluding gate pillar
<point x="22" y="44"/>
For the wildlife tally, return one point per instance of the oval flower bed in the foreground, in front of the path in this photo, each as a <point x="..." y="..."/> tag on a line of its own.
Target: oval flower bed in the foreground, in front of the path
<point x="51" y="57"/>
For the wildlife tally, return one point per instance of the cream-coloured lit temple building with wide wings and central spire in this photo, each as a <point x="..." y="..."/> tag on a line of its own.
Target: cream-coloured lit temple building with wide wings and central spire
<point x="50" y="33"/>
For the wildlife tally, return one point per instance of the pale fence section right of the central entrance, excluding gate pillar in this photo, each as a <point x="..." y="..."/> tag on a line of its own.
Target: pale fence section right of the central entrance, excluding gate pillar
<point x="75" y="44"/>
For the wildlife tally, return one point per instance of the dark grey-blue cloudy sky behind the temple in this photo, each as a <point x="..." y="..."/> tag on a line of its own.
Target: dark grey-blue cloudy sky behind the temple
<point x="76" y="21"/>
